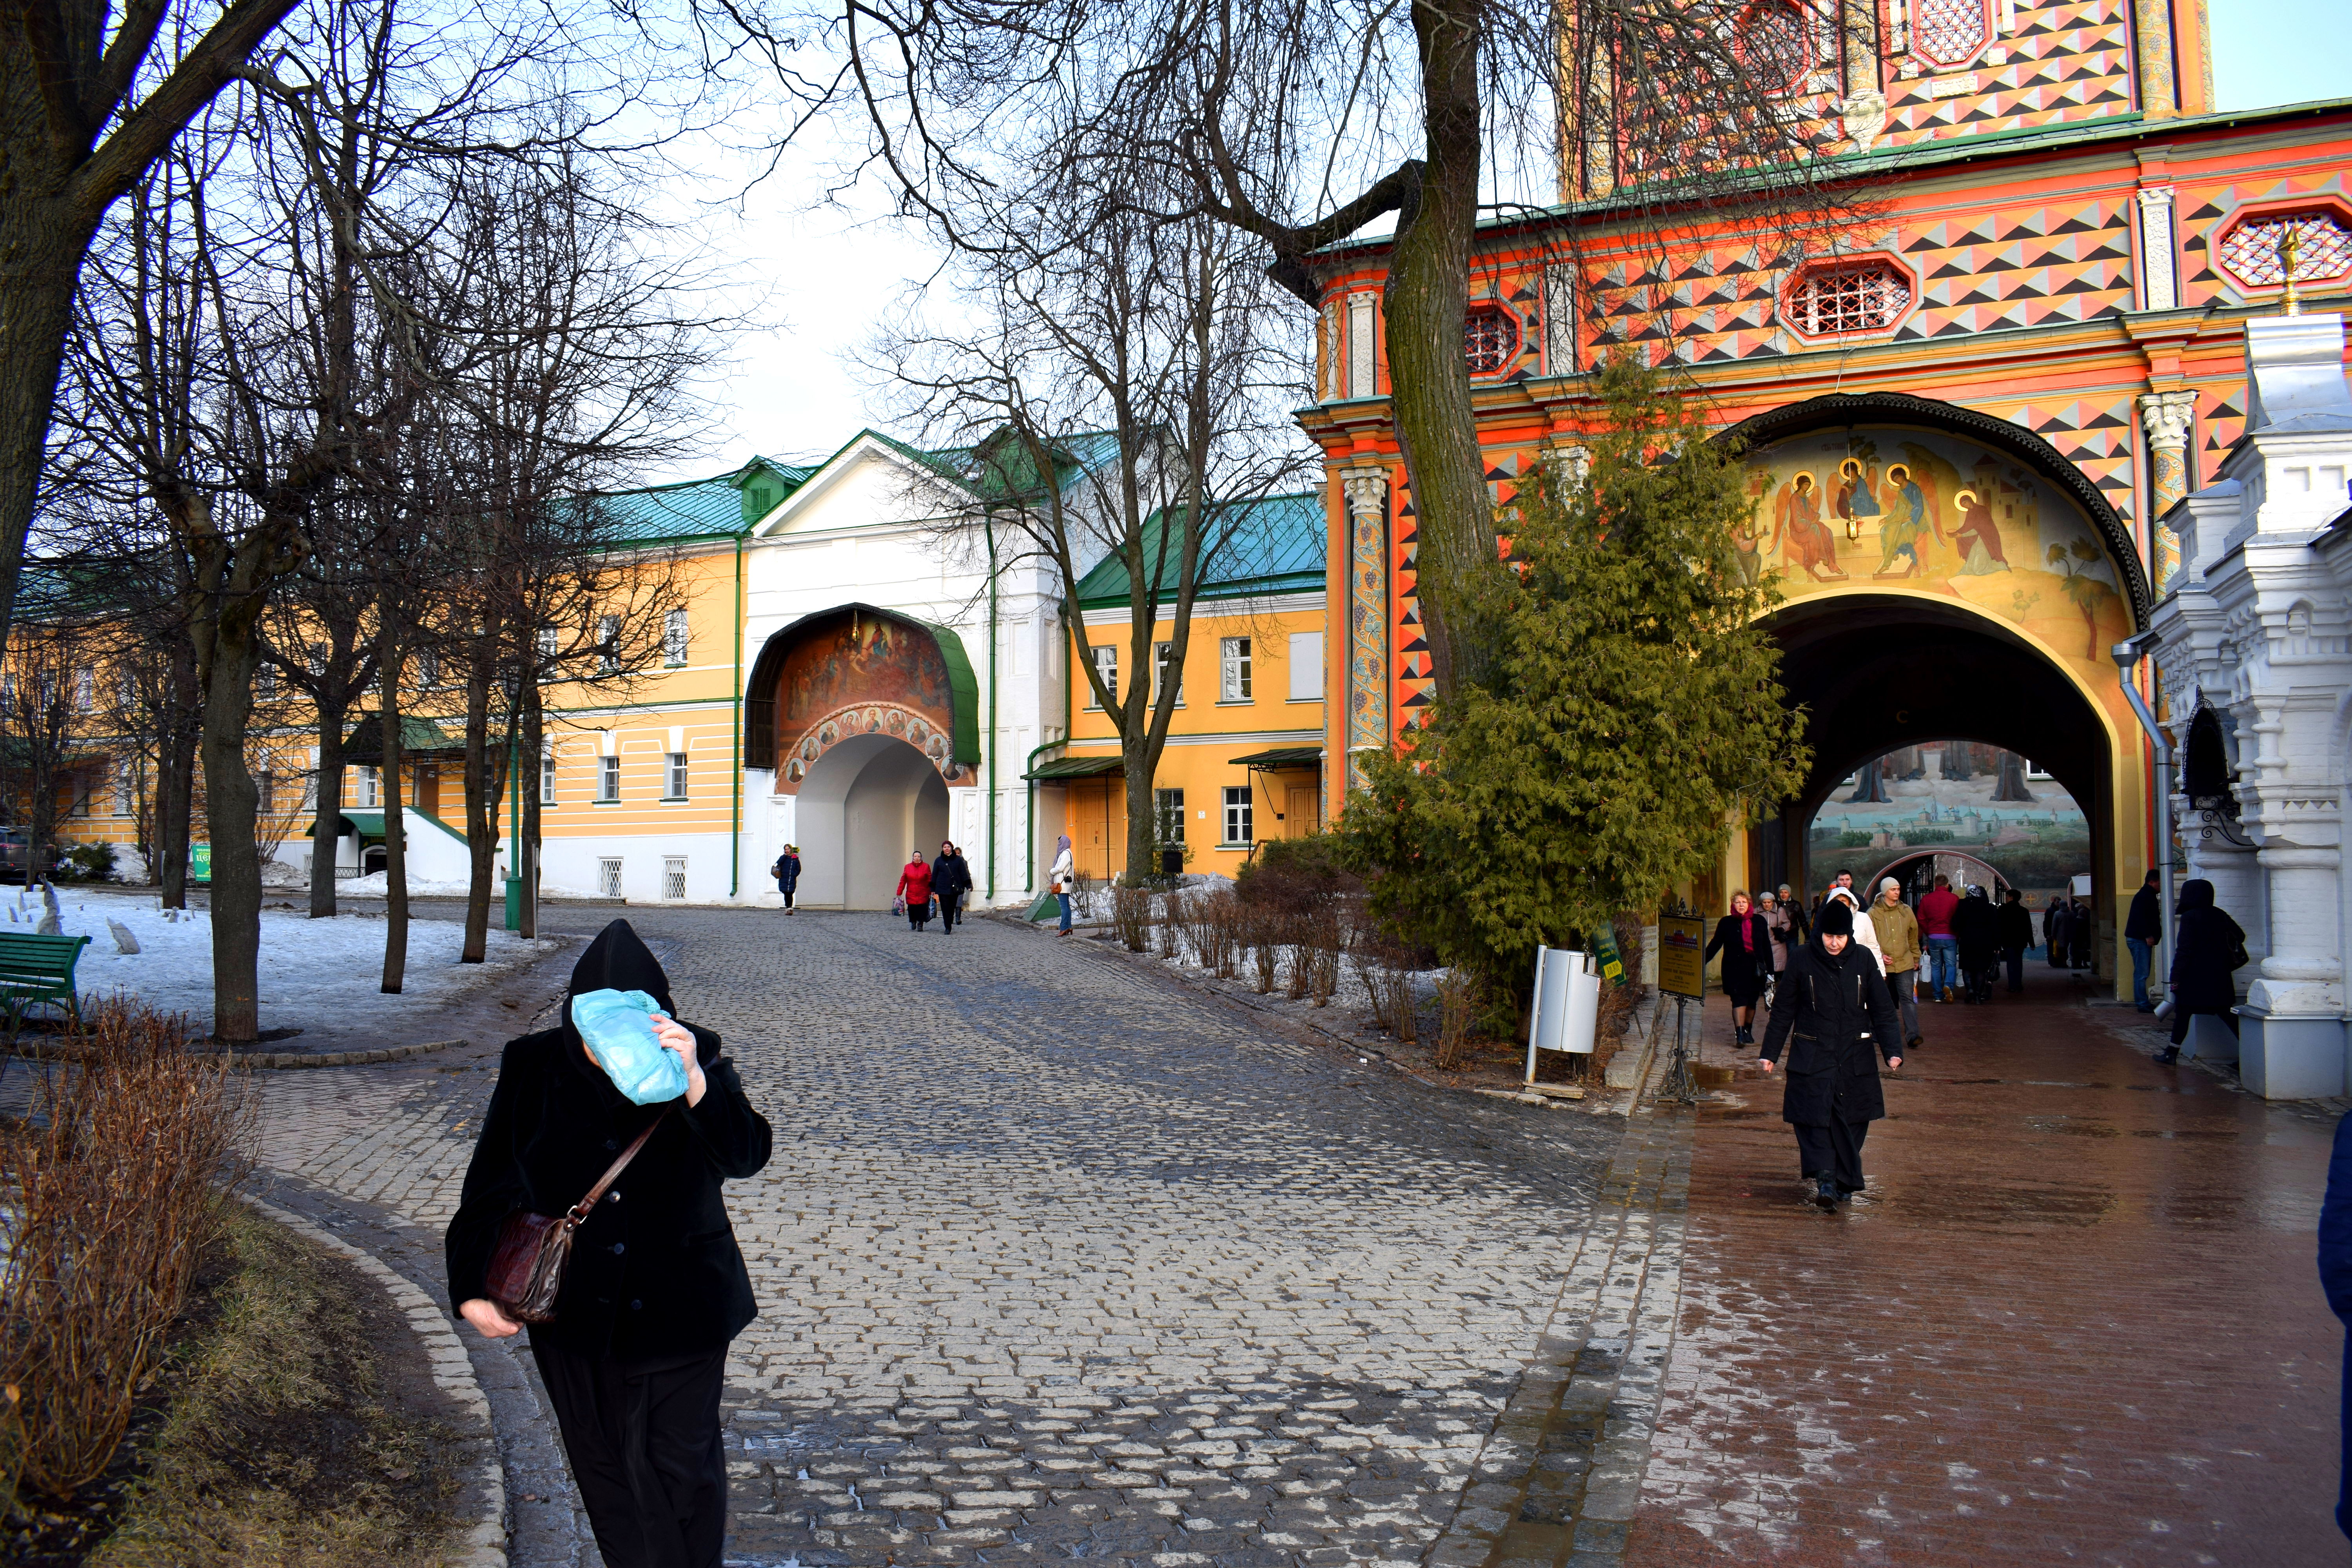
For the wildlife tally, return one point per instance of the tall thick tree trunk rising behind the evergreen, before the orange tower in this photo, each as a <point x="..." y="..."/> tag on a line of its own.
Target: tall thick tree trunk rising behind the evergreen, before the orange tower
<point x="1426" y="304"/>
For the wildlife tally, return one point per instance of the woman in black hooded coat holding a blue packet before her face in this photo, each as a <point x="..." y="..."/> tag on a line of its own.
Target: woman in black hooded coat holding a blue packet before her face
<point x="636" y="1353"/>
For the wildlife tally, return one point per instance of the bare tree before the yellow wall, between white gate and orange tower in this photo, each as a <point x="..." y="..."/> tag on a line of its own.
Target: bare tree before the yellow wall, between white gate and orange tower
<point x="1147" y="333"/>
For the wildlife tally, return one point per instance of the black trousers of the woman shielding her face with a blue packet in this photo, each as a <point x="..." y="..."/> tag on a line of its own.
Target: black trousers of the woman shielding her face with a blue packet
<point x="646" y="1452"/>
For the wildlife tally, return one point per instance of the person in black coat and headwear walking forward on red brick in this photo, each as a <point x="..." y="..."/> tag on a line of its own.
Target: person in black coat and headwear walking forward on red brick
<point x="1833" y="1000"/>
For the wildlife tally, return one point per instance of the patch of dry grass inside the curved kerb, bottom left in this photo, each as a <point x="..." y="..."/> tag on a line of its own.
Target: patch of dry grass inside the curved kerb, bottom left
<point x="286" y="1445"/>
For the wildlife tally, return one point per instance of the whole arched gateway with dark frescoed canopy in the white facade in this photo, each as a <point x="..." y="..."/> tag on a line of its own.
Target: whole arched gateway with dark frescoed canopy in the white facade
<point x="867" y="721"/>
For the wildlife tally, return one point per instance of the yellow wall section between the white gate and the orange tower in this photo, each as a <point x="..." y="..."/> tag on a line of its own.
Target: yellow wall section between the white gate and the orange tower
<point x="1205" y="739"/>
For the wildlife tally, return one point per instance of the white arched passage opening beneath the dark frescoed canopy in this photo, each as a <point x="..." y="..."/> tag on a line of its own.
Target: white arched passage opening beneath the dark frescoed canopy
<point x="864" y="805"/>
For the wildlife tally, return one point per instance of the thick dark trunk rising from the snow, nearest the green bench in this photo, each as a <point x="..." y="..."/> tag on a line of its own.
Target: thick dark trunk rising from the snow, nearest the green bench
<point x="232" y="805"/>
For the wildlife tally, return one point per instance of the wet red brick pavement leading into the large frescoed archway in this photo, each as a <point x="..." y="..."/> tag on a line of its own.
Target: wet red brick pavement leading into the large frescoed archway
<point x="2076" y="1320"/>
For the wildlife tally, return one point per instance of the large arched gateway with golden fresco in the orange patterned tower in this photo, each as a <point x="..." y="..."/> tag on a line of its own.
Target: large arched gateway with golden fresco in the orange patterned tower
<point x="1953" y="589"/>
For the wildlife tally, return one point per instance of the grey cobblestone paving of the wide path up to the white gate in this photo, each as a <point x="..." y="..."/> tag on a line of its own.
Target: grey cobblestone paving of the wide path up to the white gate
<point x="1057" y="1261"/>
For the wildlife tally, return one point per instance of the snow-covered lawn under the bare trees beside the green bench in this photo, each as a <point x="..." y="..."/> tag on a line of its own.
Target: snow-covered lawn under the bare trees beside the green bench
<point x="316" y="974"/>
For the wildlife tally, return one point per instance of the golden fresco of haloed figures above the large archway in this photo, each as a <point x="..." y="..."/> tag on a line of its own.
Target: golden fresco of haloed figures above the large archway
<point x="1935" y="514"/>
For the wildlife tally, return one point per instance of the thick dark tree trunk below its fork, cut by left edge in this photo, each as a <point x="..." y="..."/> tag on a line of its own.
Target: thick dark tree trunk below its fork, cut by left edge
<point x="41" y="255"/>
